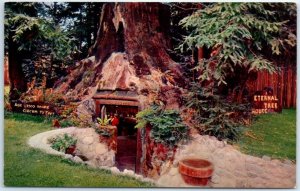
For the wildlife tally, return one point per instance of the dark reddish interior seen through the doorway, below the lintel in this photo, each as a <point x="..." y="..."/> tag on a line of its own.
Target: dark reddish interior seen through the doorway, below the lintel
<point x="127" y="135"/>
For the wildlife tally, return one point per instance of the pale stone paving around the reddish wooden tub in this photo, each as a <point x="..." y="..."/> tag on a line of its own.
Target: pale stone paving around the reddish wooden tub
<point x="232" y="169"/>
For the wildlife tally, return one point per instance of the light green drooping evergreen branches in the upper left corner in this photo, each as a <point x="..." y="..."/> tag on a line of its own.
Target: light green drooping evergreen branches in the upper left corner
<point x="31" y="32"/>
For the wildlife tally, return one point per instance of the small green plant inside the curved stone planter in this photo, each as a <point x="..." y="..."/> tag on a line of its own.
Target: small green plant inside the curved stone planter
<point x="61" y="143"/>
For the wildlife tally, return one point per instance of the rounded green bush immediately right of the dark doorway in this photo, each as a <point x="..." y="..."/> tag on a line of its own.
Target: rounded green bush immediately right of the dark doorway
<point x="167" y="126"/>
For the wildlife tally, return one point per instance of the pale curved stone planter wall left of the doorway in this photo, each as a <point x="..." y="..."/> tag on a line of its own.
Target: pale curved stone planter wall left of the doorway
<point x="99" y="156"/>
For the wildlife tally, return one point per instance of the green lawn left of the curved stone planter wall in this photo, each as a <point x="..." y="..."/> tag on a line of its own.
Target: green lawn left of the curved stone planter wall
<point x="25" y="166"/>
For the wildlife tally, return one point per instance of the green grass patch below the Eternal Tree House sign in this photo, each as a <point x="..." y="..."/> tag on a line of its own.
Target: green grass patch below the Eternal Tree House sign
<point x="273" y="135"/>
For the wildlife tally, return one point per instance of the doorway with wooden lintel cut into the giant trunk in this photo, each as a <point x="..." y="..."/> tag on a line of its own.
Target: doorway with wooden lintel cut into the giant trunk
<point x="124" y="108"/>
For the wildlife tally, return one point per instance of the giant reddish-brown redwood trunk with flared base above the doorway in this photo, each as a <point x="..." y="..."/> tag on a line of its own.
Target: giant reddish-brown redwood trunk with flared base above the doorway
<point x="130" y="53"/>
